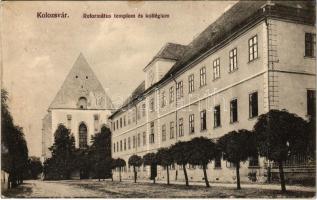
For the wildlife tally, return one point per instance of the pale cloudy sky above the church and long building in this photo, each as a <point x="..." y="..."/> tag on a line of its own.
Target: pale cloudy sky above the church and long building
<point x="38" y="53"/>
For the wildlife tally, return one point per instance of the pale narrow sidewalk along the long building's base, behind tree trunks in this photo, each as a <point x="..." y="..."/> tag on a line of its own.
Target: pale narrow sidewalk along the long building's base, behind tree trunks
<point x="262" y="186"/>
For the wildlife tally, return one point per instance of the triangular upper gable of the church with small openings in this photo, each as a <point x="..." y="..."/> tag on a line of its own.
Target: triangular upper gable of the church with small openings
<point x="81" y="89"/>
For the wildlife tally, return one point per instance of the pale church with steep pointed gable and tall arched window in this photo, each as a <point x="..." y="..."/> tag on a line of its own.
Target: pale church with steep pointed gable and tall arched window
<point x="81" y="104"/>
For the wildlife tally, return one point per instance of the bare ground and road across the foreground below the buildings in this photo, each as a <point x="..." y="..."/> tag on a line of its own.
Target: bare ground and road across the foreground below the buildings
<point x="126" y="189"/>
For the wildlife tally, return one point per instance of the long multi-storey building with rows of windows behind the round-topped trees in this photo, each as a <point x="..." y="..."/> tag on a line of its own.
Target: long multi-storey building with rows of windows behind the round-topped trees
<point x="258" y="56"/>
